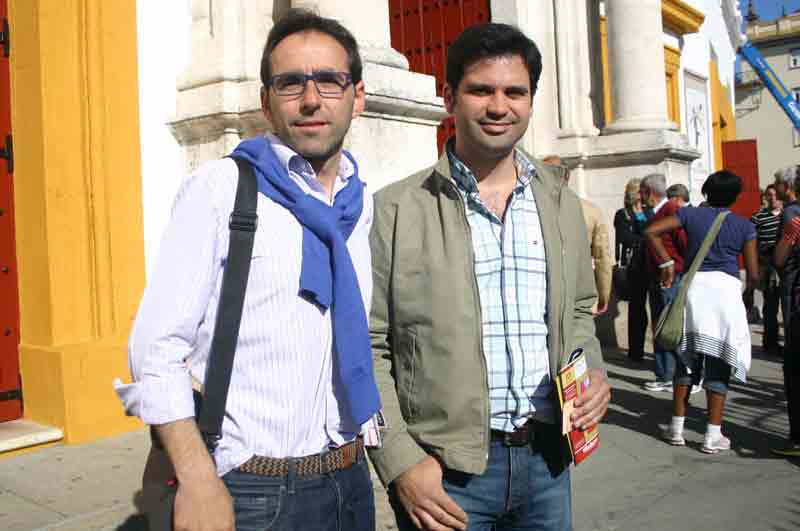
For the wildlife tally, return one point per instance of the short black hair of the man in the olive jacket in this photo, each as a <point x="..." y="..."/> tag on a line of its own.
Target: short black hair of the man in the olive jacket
<point x="491" y="40"/>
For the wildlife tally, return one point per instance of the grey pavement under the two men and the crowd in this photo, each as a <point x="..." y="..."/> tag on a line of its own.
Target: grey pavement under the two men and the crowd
<point x="634" y="482"/>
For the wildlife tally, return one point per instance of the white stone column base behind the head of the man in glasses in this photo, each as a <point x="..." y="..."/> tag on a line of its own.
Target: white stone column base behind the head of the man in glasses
<point x="218" y="96"/>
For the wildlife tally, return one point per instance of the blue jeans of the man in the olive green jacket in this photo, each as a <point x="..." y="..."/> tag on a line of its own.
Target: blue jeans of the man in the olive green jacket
<point x="522" y="489"/>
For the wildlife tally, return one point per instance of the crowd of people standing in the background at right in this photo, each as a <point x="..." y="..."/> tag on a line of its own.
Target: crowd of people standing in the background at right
<point x="658" y="235"/>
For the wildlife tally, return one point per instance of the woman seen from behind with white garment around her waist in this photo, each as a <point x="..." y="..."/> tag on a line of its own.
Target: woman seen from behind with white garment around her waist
<point x="716" y="335"/>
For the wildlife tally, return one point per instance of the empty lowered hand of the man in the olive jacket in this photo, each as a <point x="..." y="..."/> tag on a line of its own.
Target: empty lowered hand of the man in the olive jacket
<point x="420" y="491"/>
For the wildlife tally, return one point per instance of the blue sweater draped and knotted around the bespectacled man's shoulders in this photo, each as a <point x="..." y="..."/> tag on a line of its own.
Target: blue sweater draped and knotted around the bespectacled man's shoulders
<point x="327" y="276"/>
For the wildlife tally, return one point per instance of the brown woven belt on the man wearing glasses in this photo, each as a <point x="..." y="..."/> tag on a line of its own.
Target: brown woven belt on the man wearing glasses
<point x="337" y="459"/>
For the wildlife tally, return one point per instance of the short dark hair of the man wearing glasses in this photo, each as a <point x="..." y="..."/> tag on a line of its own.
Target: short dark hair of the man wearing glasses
<point x="301" y="20"/>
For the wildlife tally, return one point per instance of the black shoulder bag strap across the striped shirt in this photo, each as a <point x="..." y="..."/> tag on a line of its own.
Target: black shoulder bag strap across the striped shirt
<point x="242" y="225"/>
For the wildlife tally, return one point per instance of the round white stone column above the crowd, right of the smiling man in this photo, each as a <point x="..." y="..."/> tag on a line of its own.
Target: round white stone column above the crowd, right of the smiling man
<point x="636" y="54"/>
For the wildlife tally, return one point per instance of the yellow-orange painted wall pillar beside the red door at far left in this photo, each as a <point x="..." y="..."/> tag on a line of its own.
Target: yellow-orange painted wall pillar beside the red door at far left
<point x="78" y="207"/>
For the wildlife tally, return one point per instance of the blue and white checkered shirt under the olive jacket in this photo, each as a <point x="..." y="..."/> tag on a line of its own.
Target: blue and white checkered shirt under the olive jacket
<point x="511" y="272"/>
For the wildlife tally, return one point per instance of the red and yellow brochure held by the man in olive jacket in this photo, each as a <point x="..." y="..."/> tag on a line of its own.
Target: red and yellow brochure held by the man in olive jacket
<point x="572" y="380"/>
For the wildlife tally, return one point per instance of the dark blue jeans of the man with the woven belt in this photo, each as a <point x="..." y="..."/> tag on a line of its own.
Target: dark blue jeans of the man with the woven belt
<point x="339" y="501"/>
